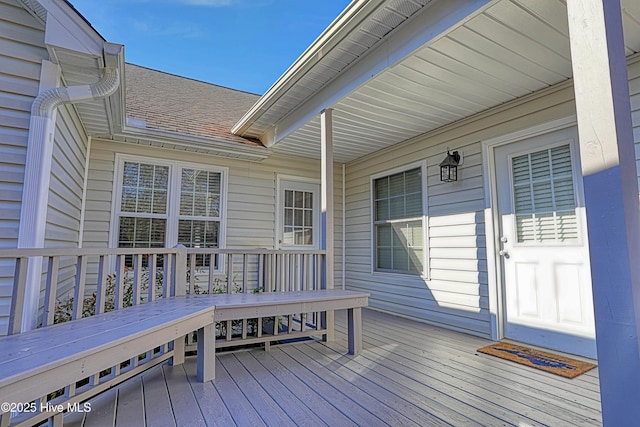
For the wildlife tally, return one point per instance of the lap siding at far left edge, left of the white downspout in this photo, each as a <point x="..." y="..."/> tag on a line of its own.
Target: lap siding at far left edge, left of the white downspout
<point x="22" y="47"/>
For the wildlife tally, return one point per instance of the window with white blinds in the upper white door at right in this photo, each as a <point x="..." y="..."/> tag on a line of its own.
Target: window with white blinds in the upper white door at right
<point x="544" y="196"/>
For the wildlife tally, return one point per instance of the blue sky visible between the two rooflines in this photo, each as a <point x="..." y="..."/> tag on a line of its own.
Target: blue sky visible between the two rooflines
<point x="242" y="44"/>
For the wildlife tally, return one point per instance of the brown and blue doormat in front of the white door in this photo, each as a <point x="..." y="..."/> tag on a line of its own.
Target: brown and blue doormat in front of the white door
<point x="559" y="365"/>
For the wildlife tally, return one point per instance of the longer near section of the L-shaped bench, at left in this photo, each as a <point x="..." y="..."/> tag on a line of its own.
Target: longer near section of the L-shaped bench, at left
<point x="36" y="363"/>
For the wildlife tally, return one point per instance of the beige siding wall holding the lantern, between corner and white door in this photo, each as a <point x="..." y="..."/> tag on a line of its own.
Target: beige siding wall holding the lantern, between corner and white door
<point x="455" y="293"/>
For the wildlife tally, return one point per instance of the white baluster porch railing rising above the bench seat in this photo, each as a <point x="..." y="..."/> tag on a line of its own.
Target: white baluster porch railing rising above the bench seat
<point x="81" y="282"/>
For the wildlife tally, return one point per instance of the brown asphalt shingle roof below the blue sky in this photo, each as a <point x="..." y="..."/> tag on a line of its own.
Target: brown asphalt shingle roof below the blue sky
<point x="177" y="104"/>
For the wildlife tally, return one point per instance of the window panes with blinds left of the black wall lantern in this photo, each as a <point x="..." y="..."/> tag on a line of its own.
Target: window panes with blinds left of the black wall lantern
<point x="398" y="222"/>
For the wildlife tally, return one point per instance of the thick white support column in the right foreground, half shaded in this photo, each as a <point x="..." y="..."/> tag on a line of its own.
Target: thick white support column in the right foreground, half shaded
<point x="611" y="199"/>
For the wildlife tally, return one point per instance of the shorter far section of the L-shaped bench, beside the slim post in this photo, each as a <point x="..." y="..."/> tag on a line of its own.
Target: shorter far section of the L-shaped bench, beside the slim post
<point x="262" y="305"/>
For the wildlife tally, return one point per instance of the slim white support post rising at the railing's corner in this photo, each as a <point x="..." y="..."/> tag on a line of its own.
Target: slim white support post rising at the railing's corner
<point x="327" y="206"/>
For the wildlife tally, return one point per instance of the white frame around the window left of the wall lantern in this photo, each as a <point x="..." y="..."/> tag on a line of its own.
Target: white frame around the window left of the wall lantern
<point x="422" y="164"/>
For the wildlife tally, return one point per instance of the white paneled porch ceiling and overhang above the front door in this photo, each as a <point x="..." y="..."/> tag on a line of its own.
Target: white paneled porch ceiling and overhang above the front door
<point x="447" y="61"/>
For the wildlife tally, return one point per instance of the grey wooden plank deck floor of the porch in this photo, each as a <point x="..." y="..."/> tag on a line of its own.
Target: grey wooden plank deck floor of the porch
<point x="407" y="374"/>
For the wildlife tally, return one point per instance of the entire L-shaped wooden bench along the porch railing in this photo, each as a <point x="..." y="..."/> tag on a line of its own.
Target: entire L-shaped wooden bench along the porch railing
<point x="36" y="363"/>
